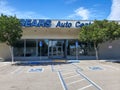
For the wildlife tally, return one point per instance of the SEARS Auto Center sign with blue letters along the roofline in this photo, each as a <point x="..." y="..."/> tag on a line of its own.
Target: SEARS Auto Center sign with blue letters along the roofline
<point x="53" y="23"/>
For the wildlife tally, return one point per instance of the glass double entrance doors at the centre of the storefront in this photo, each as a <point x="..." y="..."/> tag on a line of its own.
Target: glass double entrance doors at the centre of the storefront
<point x="56" y="48"/>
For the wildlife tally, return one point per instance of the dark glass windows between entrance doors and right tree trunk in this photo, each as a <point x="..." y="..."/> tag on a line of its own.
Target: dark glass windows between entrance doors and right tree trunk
<point x="83" y="49"/>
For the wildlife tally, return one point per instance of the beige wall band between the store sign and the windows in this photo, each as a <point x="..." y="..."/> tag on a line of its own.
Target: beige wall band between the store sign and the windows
<point x="50" y="33"/>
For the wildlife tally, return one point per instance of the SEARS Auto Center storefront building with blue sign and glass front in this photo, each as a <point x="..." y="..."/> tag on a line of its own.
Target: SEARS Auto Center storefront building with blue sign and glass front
<point x="54" y="39"/>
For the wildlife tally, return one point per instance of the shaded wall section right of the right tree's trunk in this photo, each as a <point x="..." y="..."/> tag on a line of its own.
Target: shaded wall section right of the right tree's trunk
<point x="110" y="50"/>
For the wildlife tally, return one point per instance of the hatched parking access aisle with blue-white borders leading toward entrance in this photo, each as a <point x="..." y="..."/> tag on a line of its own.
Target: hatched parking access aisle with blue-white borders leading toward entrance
<point x="72" y="76"/>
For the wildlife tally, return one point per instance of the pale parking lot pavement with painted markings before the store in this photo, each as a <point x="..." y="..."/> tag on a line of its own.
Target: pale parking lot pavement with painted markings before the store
<point x="85" y="75"/>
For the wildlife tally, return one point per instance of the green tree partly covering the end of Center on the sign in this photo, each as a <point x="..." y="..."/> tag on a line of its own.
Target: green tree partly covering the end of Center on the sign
<point x="99" y="32"/>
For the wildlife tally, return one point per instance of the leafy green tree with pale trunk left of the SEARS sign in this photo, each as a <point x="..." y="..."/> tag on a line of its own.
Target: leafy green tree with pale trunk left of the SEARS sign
<point x="10" y="31"/>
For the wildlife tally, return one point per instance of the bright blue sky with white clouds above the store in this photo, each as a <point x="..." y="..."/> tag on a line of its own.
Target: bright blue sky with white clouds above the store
<point x="62" y="9"/>
